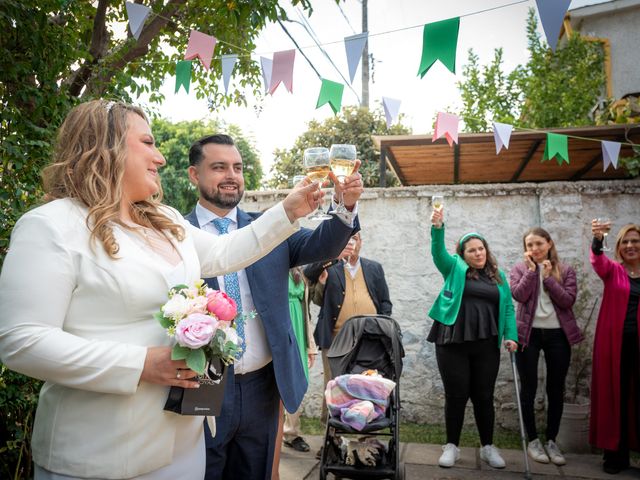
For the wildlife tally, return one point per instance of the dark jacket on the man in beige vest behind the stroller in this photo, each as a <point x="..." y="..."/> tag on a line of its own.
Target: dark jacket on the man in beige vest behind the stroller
<point x="334" y="293"/>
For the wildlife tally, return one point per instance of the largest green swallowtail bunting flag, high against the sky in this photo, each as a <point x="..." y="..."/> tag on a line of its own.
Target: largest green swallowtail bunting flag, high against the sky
<point x="439" y="42"/>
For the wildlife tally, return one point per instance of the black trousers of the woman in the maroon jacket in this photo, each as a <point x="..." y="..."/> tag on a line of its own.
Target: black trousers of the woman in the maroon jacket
<point x="557" y="354"/>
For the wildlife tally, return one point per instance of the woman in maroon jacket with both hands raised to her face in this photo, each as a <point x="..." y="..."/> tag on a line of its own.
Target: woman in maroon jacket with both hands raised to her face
<point x="545" y="290"/>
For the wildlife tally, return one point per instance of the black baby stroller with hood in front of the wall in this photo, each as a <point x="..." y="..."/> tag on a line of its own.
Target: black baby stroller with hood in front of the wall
<point x="366" y="342"/>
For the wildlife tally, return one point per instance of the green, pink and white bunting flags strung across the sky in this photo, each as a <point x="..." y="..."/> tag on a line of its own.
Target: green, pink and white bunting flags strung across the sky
<point x="439" y="43"/>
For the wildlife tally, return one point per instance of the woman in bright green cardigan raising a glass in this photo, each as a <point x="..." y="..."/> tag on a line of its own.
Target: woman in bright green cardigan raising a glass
<point x="473" y="315"/>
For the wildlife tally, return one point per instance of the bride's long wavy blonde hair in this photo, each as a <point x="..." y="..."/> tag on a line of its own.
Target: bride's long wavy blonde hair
<point x="88" y="166"/>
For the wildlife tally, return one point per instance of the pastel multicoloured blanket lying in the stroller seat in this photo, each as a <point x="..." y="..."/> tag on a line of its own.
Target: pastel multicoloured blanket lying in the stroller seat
<point x="358" y="399"/>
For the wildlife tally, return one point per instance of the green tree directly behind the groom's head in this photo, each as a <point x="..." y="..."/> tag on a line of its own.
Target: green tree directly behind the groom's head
<point x="174" y="140"/>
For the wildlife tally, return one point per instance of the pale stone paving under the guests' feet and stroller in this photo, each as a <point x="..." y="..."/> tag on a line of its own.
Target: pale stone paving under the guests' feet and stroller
<point x="421" y="462"/>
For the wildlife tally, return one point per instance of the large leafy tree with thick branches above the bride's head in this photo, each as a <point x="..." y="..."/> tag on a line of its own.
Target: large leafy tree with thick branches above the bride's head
<point x="54" y="53"/>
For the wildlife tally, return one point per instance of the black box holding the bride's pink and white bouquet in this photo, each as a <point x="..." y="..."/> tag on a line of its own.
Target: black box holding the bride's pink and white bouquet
<point x="206" y="400"/>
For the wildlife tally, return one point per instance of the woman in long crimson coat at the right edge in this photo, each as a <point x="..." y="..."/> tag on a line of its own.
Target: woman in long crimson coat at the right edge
<point x="615" y="416"/>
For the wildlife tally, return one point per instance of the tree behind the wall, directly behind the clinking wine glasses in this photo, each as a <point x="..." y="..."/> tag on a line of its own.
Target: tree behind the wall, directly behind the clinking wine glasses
<point x="352" y="125"/>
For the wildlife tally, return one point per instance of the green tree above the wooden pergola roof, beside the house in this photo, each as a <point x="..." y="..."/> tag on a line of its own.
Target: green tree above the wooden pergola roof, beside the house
<point x="551" y="90"/>
